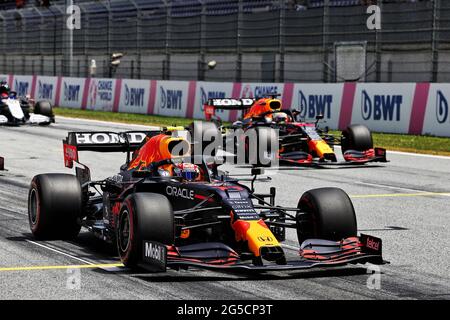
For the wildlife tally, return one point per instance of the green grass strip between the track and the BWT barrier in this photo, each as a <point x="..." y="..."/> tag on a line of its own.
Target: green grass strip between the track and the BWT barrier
<point x="397" y="142"/>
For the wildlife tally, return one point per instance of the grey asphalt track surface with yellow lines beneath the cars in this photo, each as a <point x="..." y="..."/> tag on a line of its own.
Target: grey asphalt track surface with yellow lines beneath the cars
<point x="405" y="202"/>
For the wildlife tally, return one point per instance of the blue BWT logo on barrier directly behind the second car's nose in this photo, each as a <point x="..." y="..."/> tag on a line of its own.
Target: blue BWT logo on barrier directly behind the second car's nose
<point x="314" y="104"/>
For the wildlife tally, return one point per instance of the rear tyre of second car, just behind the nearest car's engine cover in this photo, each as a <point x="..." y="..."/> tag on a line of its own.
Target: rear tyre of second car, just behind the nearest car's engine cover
<point x="207" y="135"/>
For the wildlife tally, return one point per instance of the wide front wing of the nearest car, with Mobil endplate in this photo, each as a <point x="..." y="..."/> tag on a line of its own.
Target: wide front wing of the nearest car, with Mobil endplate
<point x="314" y="253"/>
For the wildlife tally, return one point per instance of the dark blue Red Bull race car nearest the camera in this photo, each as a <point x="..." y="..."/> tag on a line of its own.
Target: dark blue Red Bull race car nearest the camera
<point x="173" y="209"/>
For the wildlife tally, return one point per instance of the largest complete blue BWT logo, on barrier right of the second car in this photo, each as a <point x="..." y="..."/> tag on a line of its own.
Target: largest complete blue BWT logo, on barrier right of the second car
<point x="381" y="107"/>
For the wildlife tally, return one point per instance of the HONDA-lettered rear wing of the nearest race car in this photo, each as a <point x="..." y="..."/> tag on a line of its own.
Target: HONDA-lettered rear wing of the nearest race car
<point x="102" y="141"/>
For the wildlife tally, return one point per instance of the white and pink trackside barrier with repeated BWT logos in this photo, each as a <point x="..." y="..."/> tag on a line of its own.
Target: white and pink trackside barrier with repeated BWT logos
<point x="410" y="108"/>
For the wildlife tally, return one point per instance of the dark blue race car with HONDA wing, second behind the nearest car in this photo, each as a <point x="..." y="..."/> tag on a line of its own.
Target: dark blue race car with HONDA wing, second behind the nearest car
<point x="300" y="142"/>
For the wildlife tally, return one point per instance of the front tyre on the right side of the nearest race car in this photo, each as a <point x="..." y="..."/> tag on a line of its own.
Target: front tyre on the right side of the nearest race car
<point x="327" y="213"/>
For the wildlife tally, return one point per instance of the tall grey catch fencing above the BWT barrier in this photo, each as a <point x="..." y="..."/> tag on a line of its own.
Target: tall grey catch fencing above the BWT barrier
<point x="251" y="40"/>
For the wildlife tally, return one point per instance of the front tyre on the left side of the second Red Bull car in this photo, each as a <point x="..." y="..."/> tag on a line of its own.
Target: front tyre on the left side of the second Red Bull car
<point x="255" y="153"/>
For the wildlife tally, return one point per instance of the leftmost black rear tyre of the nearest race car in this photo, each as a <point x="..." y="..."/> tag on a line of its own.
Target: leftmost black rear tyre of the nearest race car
<point x="55" y="206"/>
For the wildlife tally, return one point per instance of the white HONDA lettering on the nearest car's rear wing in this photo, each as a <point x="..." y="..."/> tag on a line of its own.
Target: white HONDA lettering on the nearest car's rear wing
<point x="109" y="138"/>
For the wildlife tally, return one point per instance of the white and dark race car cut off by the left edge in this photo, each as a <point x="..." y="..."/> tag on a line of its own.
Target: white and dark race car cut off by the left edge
<point x="16" y="110"/>
